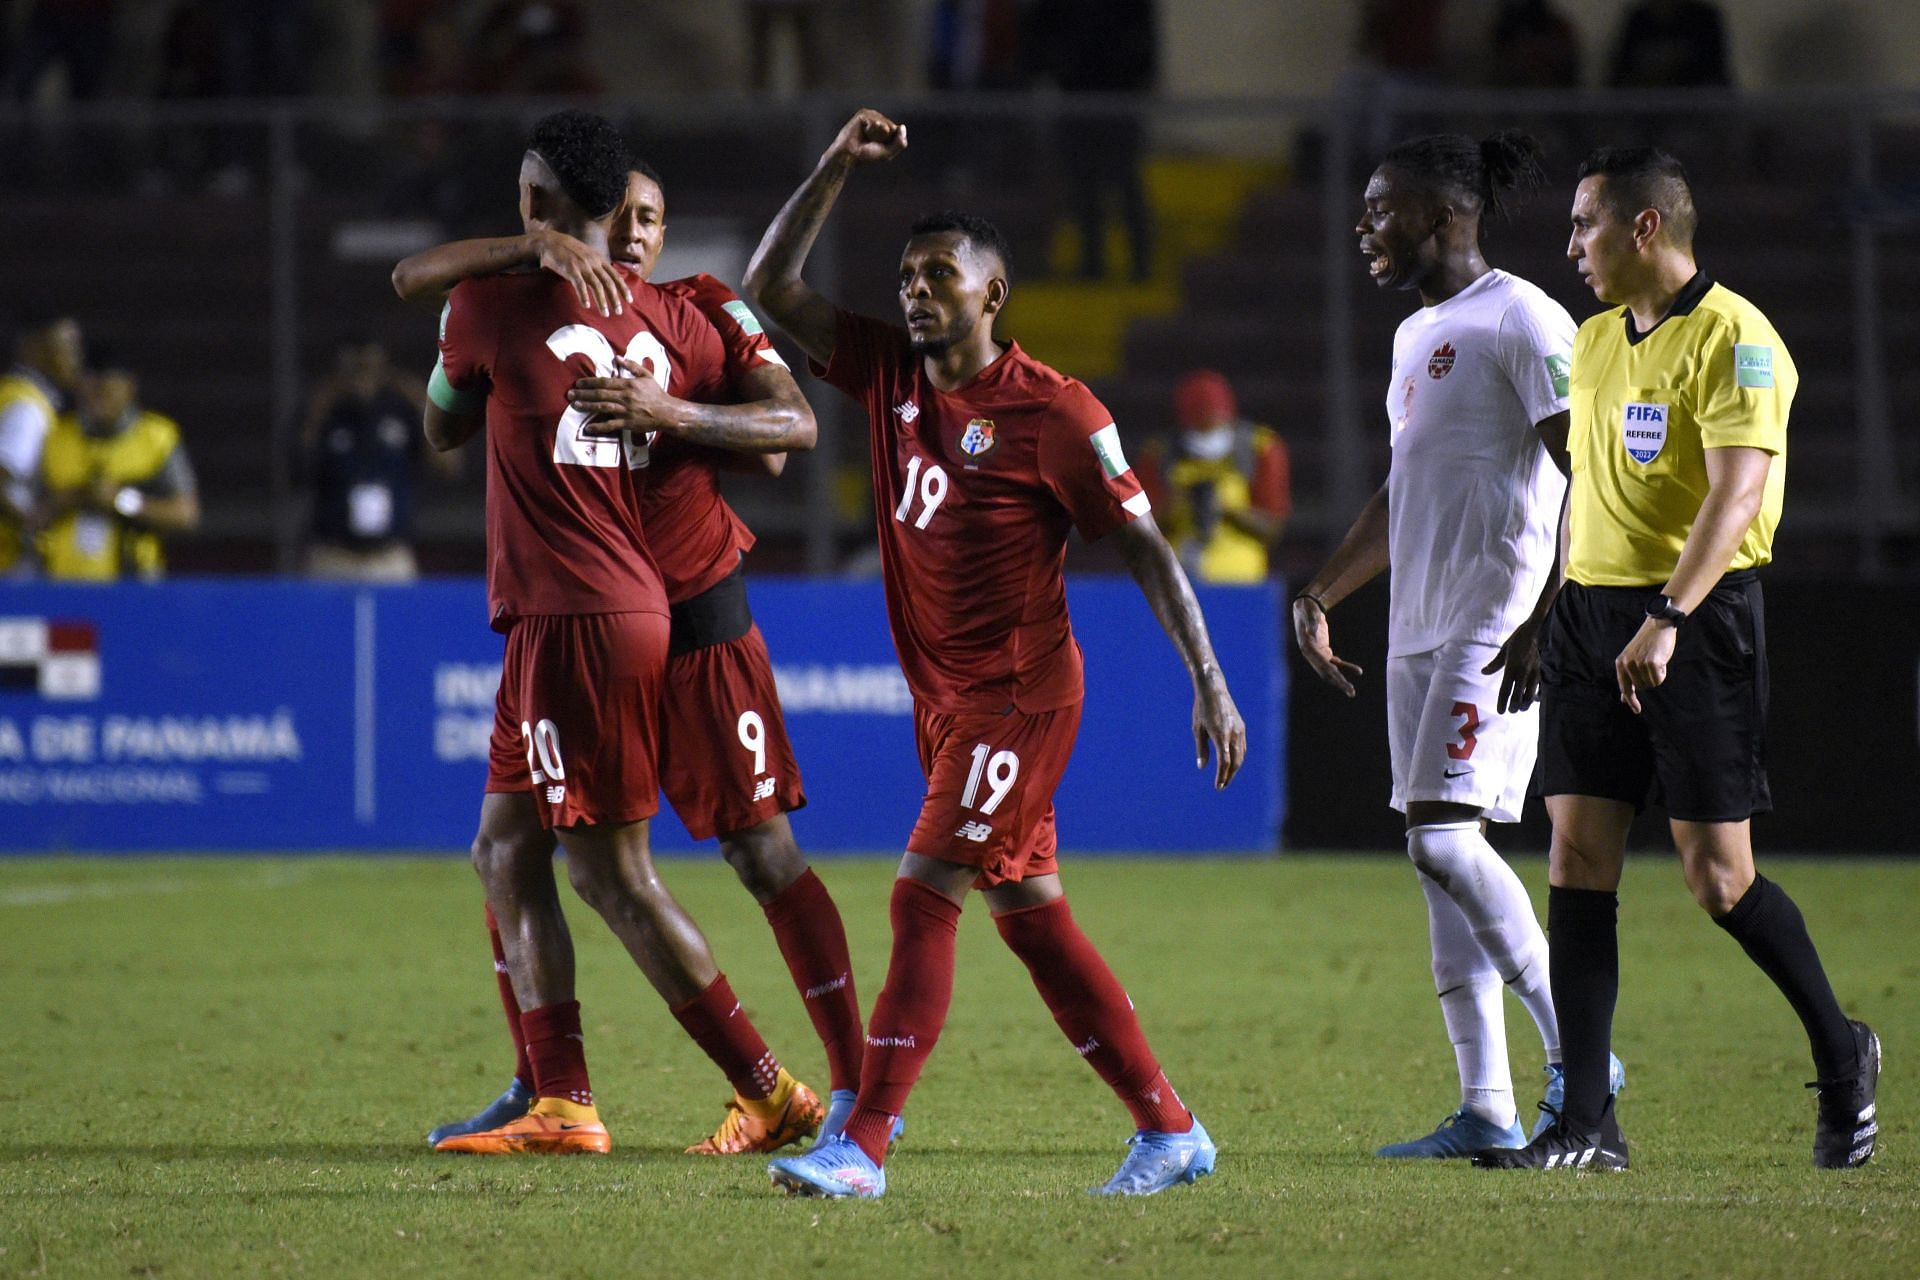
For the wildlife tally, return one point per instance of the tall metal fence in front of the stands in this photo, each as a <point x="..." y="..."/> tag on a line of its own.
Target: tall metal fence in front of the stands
<point x="228" y="249"/>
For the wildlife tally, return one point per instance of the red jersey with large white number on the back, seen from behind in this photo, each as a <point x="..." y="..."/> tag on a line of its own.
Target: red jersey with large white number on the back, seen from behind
<point x="564" y="525"/>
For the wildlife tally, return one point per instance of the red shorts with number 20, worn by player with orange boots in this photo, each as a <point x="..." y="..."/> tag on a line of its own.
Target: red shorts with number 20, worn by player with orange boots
<point x="577" y="719"/>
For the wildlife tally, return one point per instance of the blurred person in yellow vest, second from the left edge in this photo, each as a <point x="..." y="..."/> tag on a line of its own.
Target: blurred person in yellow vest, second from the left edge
<point x="116" y="481"/>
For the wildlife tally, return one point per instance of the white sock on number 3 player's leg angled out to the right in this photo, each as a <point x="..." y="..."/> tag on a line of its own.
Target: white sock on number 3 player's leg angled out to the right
<point x="1500" y="920"/>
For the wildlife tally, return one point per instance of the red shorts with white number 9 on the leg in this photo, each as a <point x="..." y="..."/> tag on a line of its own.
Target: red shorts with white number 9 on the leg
<point x="727" y="763"/>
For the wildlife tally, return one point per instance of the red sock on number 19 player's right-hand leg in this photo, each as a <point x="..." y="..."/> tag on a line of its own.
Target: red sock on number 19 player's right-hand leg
<point x="1093" y="1008"/>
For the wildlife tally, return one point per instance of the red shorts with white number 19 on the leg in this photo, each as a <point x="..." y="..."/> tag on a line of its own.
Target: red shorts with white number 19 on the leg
<point x="992" y="784"/>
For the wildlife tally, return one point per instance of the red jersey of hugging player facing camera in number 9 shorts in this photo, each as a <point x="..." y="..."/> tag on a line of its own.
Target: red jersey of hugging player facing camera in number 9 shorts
<point x="694" y="534"/>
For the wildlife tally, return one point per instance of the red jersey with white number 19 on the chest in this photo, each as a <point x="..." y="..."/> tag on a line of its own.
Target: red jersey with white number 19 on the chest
<point x="974" y="492"/>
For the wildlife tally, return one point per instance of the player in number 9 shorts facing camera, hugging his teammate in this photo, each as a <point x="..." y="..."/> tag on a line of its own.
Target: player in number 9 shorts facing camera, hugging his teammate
<point x="727" y="761"/>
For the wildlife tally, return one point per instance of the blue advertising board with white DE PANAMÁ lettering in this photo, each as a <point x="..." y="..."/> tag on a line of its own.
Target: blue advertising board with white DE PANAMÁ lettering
<point x="308" y="717"/>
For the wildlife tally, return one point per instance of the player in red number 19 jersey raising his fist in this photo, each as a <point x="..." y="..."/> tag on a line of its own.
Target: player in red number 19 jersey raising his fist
<point x="982" y="463"/>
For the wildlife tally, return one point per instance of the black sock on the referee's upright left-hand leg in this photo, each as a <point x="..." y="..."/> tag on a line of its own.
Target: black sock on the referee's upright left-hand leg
<point x="1585" y="970"/>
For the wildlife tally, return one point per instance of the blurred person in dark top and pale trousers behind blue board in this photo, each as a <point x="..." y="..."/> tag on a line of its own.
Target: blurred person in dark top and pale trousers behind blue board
<point x="364" y="448"/>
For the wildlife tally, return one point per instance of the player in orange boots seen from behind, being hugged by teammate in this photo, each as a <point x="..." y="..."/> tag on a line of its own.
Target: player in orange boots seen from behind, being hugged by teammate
<point x="577" y="592"/>
